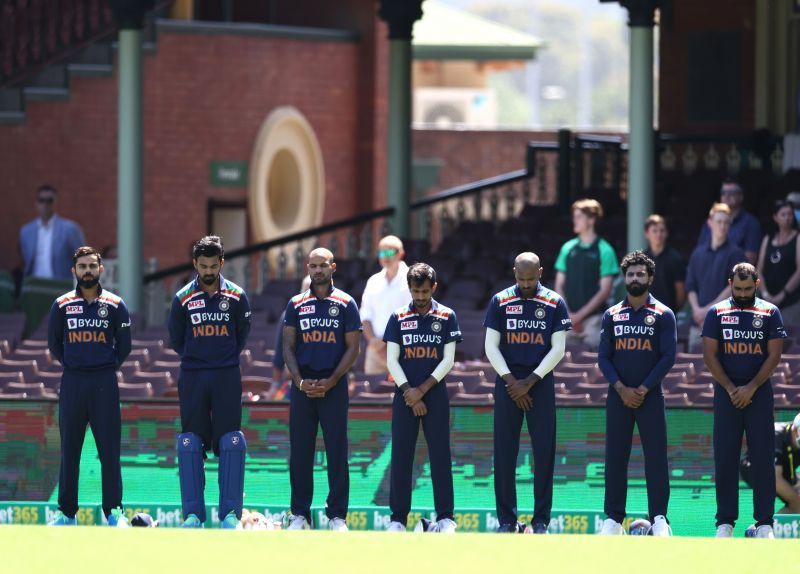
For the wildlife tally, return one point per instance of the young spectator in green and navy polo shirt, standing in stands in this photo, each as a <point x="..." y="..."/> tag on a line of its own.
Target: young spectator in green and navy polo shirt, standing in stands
<point x="585" y="271"/>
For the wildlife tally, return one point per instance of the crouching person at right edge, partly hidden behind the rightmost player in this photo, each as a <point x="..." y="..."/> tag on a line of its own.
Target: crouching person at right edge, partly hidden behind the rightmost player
<point x="787" y="459"/>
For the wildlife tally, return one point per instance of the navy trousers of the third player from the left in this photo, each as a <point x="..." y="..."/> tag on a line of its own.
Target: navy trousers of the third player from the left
<point x="305" y="417"/>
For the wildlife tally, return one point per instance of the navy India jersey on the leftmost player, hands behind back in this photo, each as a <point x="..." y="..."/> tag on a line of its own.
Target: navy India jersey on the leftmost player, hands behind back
<point x="89" y="336"/>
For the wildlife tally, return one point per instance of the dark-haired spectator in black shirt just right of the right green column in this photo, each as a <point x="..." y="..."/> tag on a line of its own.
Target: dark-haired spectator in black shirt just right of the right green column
<point x="669" y="283"/>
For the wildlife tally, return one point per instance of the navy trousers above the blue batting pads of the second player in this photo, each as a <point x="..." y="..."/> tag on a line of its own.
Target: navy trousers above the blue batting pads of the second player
<point x="210" y="403"/>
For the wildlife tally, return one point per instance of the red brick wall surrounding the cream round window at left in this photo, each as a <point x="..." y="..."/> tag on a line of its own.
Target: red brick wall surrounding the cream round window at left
<point x="205" y="98"/>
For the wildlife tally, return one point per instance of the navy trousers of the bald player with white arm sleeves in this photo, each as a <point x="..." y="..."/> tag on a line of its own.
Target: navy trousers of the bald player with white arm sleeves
<point x="542" y="430"/>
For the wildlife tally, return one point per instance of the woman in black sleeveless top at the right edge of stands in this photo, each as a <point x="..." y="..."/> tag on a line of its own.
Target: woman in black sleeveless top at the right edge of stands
<point x="779" y="264"/>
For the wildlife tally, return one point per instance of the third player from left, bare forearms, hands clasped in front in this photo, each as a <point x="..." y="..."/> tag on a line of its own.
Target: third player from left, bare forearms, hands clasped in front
<point x="321" y="340"/>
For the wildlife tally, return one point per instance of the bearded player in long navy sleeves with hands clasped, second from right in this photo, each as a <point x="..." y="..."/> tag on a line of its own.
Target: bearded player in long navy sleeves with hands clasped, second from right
<point x="637" y="348"/>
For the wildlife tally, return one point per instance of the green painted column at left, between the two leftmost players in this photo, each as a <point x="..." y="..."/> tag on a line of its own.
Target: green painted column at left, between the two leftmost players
<point x="129" y="169"/>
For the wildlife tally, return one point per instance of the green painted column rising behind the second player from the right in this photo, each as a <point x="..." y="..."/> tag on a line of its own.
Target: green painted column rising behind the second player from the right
<point x="641" y="152"/>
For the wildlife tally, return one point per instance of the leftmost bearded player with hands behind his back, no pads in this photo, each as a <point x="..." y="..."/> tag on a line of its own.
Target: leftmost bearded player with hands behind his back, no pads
<point x="89" y="332"/>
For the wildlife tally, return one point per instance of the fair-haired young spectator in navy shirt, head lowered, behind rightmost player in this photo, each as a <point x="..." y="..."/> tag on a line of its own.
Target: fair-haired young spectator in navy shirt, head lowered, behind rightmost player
<point x="709" y="268"/>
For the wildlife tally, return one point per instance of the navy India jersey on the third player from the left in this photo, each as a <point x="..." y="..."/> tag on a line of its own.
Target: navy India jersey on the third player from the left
<point x="321" y="327"/>
